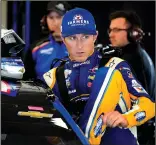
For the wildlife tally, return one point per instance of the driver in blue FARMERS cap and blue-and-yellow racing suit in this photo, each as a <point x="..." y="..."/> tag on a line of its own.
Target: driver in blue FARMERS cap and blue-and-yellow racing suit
<point x="109" y="100"/>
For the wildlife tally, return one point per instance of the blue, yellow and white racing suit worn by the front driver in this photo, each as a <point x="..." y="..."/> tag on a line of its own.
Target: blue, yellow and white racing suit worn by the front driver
<point x="104" y="89"/>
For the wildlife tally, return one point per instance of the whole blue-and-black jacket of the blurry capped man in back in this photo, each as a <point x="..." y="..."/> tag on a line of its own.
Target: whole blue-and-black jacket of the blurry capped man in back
<point x="40" y="57"/>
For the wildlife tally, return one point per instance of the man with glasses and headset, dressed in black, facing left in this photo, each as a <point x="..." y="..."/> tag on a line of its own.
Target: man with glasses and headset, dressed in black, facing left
<point x="125" y="33"/>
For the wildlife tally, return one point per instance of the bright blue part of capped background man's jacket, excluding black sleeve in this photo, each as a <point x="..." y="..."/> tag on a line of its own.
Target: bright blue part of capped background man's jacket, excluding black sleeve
<point x="45" y="53"/>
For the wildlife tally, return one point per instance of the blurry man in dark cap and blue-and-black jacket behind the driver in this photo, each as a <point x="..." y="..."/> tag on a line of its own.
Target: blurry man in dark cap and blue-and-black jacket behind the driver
<point x="41" y="54"/>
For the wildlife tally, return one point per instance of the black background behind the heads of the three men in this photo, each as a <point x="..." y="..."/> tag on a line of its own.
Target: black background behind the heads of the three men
<point x="100" y="11"/>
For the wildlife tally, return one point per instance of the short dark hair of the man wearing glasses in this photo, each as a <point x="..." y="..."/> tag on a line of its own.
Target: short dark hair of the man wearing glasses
<point x="130" y="16"/>
